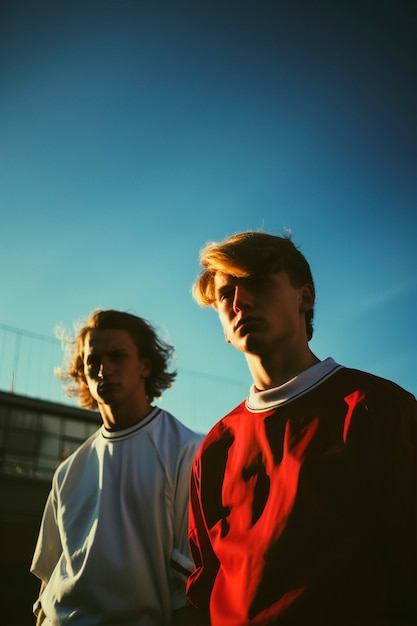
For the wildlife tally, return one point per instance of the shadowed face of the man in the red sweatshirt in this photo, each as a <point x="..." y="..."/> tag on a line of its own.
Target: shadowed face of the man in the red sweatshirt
<point x="262" y="313"/>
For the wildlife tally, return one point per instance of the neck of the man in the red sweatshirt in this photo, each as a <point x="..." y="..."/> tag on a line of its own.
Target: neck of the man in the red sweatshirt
<point x="274" y="370"/>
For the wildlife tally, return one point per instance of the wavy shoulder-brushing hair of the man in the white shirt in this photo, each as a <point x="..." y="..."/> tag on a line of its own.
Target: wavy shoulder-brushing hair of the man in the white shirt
<point x="142" y="334"/>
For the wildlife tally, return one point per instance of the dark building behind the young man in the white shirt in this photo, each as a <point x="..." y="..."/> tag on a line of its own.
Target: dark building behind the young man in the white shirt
<point x="35" y="436"/>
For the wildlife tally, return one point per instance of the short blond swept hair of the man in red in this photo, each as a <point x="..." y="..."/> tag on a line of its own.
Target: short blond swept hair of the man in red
<point x="248" y="253"/>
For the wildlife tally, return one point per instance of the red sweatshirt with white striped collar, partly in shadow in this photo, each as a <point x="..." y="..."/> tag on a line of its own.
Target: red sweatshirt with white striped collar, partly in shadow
<point x="303" y="505"/>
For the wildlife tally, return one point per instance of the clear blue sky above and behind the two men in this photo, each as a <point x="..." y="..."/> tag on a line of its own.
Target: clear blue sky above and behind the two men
<point x="133" y="132"/>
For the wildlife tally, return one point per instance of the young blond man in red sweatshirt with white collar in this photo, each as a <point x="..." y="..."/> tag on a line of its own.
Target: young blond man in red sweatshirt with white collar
<point x="303" y="498"/>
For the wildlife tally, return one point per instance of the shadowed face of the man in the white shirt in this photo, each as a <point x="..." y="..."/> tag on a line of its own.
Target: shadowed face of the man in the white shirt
<point x="114" y="371"/>
